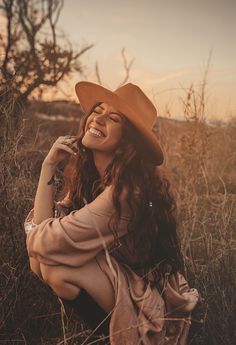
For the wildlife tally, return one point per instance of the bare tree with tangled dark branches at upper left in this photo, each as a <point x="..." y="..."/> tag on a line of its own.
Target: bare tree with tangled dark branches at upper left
<point x="33" y="57"/>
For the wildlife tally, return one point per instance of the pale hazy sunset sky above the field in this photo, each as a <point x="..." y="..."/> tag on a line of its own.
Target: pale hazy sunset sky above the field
<point x="171" y="42"/>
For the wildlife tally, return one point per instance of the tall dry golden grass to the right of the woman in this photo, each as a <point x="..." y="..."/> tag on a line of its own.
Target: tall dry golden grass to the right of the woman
<point x="201" y="164"/>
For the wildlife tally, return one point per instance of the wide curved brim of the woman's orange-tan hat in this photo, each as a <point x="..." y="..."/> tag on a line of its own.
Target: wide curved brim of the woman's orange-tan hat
<point x="90" y="93"/>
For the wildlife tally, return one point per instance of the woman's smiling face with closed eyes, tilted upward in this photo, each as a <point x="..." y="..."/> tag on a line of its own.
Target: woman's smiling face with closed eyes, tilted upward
<point x="103" y="129"/>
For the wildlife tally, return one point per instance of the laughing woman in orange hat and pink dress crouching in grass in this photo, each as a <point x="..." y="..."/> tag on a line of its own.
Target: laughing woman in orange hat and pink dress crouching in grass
<point x="111" y="243"/>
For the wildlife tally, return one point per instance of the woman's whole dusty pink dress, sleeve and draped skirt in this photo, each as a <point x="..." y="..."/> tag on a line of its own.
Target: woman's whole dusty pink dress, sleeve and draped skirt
<point x="142" y="315"/>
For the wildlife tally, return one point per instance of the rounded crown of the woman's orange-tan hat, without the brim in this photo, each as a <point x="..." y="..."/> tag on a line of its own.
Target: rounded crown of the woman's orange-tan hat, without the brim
<point x="139" y="103"/>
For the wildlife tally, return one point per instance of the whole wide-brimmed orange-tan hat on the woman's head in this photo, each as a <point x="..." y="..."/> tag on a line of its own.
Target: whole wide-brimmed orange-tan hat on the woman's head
<point x="130" y="100"/>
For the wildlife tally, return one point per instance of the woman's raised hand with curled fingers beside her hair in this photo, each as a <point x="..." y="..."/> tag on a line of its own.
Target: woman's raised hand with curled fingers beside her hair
<point x="60" y="150"/>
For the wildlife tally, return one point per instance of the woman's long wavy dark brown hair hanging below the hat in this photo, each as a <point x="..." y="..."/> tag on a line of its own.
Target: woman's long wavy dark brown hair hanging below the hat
<point x="153" y="225"/>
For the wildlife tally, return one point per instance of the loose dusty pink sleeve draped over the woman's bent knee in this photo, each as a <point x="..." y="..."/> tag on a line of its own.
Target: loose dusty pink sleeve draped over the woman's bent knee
<point x="76" y="238"/>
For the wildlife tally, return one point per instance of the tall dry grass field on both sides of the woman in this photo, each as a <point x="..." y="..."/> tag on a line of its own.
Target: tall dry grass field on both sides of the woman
<point x="200" y="162"/>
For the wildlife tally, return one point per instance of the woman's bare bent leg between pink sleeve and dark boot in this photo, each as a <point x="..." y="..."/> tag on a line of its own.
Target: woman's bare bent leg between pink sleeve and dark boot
<point x="66" y="282"/>
